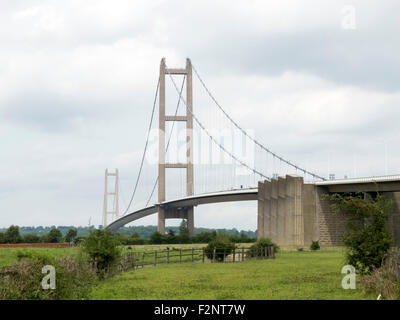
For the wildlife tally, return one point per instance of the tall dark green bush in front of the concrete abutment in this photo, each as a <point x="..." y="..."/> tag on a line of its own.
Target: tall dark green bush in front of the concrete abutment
<point x="367" y="237"/>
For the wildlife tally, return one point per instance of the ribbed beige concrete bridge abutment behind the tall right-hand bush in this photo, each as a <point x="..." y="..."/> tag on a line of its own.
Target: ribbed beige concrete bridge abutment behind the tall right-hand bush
<point x="291" y="212"/>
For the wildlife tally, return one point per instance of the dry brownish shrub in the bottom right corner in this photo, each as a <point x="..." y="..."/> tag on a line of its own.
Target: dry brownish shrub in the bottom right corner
<point x="386" y="279"/>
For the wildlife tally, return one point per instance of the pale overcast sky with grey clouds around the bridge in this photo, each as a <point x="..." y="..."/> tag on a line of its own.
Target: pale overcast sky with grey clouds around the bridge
<point x="318" y="82"/>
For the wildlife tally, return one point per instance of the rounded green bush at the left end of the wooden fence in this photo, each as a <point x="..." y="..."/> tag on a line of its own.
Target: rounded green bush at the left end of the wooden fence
<point x="103" y="249"/>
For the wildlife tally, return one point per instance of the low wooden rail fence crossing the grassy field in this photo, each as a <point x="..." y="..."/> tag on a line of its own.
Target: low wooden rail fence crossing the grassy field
<point x="140" y="259"/>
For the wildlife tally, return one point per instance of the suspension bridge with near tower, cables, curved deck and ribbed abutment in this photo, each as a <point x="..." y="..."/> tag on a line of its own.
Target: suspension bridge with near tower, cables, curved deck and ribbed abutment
<point x="219" y="161"/>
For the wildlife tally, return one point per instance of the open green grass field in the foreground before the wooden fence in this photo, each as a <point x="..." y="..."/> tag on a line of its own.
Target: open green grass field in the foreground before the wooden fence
<point x="292" y="275"/>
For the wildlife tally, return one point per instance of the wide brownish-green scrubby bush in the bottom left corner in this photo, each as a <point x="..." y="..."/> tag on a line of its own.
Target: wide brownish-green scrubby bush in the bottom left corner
<point x="23" y="280"/>
